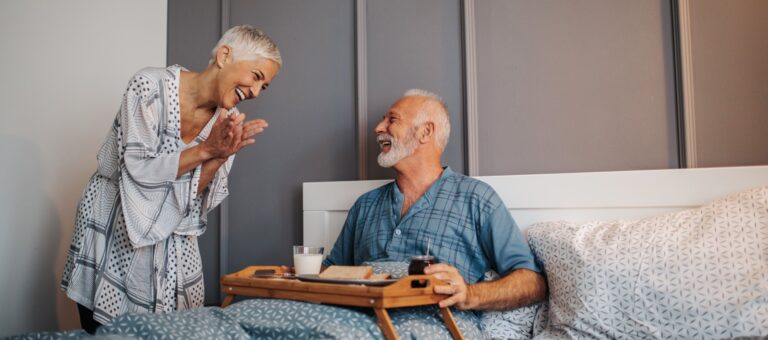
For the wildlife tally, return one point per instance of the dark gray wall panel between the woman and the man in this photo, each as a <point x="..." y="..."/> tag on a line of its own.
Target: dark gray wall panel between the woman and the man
<point x="310" y="107"/>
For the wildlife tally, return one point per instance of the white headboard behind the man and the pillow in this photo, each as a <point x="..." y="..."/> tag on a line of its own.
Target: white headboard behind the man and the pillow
<point x="548" y="197"/>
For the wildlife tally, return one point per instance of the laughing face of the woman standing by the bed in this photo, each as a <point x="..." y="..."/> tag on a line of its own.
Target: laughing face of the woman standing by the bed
<point x="242" y="80"/>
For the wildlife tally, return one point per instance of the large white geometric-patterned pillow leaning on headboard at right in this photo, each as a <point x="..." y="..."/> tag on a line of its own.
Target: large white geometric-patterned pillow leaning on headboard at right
<point x="698" y="273"/>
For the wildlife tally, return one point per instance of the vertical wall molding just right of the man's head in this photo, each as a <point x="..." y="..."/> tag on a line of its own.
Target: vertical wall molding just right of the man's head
<point x="470" y="87"/>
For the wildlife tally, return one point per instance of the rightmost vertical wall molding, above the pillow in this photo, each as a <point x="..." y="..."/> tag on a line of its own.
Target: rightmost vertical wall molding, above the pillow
<point x="686" y="63"/>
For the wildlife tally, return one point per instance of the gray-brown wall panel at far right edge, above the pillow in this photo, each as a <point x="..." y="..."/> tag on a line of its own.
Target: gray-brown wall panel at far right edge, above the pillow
<point x="730" y="73"/>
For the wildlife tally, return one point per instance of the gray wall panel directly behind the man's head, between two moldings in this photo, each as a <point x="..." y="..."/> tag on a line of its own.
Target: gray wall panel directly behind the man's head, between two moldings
<point x="414" y="44"/>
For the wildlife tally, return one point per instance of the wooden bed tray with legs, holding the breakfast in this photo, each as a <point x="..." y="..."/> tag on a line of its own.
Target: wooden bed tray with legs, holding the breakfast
<point x="398" y="294"/>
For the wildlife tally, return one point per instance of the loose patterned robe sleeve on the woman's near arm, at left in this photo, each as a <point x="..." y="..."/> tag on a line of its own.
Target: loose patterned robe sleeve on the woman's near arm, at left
<point x="153" y="200"/>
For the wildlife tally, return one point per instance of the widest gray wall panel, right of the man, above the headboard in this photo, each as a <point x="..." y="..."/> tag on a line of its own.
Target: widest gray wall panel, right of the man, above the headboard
<point x="574" y="86"/>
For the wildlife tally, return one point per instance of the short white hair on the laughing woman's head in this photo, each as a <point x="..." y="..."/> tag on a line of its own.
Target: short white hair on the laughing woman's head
<point x="248" y="43"/>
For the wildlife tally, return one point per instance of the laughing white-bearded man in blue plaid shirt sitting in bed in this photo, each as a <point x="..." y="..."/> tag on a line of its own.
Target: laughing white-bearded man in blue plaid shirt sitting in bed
<point x="470" y="230"/>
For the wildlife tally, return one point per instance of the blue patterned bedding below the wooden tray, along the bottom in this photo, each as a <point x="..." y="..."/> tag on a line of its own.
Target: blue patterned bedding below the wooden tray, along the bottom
<point x="277" y="319"/>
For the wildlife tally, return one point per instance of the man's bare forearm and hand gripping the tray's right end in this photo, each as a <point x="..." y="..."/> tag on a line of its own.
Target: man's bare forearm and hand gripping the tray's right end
<point x="518" y="288"/>
